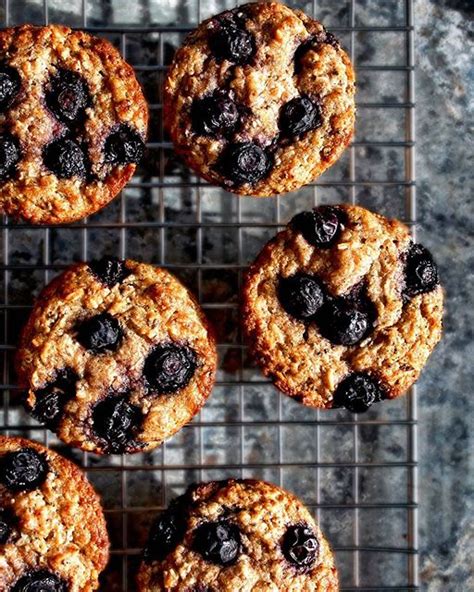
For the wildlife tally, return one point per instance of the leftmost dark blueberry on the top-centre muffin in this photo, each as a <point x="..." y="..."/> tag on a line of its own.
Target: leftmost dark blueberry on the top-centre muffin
<point x="215" y="115"/>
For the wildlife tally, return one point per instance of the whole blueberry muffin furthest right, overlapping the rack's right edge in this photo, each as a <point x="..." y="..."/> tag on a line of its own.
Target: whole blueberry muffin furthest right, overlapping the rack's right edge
<point x="342" y="309"/>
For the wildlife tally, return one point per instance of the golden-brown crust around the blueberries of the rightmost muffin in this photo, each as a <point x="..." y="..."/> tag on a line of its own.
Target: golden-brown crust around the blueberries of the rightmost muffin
<point x="397" y="350"/>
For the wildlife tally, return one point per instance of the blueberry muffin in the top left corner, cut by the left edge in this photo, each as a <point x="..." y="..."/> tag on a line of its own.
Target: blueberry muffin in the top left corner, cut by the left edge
<point x="73" y="123"/>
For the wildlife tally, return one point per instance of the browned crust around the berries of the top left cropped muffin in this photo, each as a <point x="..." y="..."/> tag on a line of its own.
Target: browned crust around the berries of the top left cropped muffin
<point x="34" y="193"/>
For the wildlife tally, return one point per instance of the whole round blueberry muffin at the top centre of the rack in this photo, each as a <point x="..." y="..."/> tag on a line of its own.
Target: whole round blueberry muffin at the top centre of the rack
<point x="260" y="99"/>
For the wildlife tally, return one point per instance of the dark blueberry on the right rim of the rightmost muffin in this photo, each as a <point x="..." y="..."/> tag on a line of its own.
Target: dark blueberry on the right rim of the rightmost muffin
<point x="421" y="272"/>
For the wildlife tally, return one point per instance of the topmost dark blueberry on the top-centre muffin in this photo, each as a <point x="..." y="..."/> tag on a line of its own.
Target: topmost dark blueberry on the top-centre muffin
<point x="231" y="41"/>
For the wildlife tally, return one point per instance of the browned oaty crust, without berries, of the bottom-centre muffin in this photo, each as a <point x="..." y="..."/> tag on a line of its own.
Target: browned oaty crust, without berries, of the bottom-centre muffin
<point x="264" y="512"/>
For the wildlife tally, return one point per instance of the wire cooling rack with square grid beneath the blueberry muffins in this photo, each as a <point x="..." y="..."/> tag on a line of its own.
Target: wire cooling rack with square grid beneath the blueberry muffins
<point x="358" y="474"/>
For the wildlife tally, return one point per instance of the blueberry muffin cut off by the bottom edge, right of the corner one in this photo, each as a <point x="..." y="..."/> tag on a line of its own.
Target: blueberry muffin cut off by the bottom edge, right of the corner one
<point x="237" y="536"/>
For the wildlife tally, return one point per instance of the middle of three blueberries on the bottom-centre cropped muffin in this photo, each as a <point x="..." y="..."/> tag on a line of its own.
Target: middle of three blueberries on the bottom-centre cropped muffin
<point x="218" y="542"/>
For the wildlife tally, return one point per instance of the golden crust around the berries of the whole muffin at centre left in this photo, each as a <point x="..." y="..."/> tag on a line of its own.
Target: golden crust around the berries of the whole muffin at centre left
<point x="152" y="306"/>
